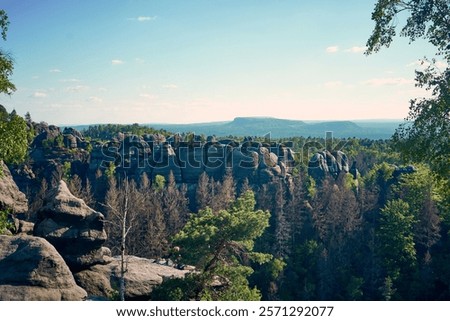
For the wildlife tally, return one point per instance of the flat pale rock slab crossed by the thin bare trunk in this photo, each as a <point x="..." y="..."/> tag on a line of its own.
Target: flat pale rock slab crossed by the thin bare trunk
<point x="141" y="276"/>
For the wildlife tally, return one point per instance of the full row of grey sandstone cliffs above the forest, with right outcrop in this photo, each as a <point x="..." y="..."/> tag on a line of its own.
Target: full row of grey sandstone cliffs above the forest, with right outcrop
<point x="186" y="157"/>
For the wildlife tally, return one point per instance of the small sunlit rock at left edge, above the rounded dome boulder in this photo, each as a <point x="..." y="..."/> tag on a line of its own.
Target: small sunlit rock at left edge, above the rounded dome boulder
<point x="10" y="195"/>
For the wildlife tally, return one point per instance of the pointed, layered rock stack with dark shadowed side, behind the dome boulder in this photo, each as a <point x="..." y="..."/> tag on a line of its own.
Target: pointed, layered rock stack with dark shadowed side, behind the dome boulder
<point x="76" y="230"/>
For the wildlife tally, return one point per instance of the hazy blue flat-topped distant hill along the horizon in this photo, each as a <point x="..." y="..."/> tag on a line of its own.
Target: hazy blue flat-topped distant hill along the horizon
<point x="283" y="128"/>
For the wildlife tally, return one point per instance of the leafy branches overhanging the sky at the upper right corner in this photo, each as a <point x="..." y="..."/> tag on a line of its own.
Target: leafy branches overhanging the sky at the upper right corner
<point x="426" y="135"/>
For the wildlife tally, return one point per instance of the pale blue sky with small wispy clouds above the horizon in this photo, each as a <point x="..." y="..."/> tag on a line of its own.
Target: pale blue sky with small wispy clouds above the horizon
<point x="183" y="61"/>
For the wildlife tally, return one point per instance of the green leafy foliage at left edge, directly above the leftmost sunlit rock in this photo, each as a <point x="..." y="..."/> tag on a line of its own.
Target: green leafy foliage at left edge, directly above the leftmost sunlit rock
<point x="13" y="137"/>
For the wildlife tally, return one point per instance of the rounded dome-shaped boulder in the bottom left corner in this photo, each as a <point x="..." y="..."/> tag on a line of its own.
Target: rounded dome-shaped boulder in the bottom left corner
<point x="32" y="270"/>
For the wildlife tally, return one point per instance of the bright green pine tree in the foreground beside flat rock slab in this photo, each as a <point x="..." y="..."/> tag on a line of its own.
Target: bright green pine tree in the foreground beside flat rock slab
<point x="220" y="245"/>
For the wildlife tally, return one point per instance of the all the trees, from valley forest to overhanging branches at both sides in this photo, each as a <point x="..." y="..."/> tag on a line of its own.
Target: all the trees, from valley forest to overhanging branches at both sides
<point x="377" y="231"/>
